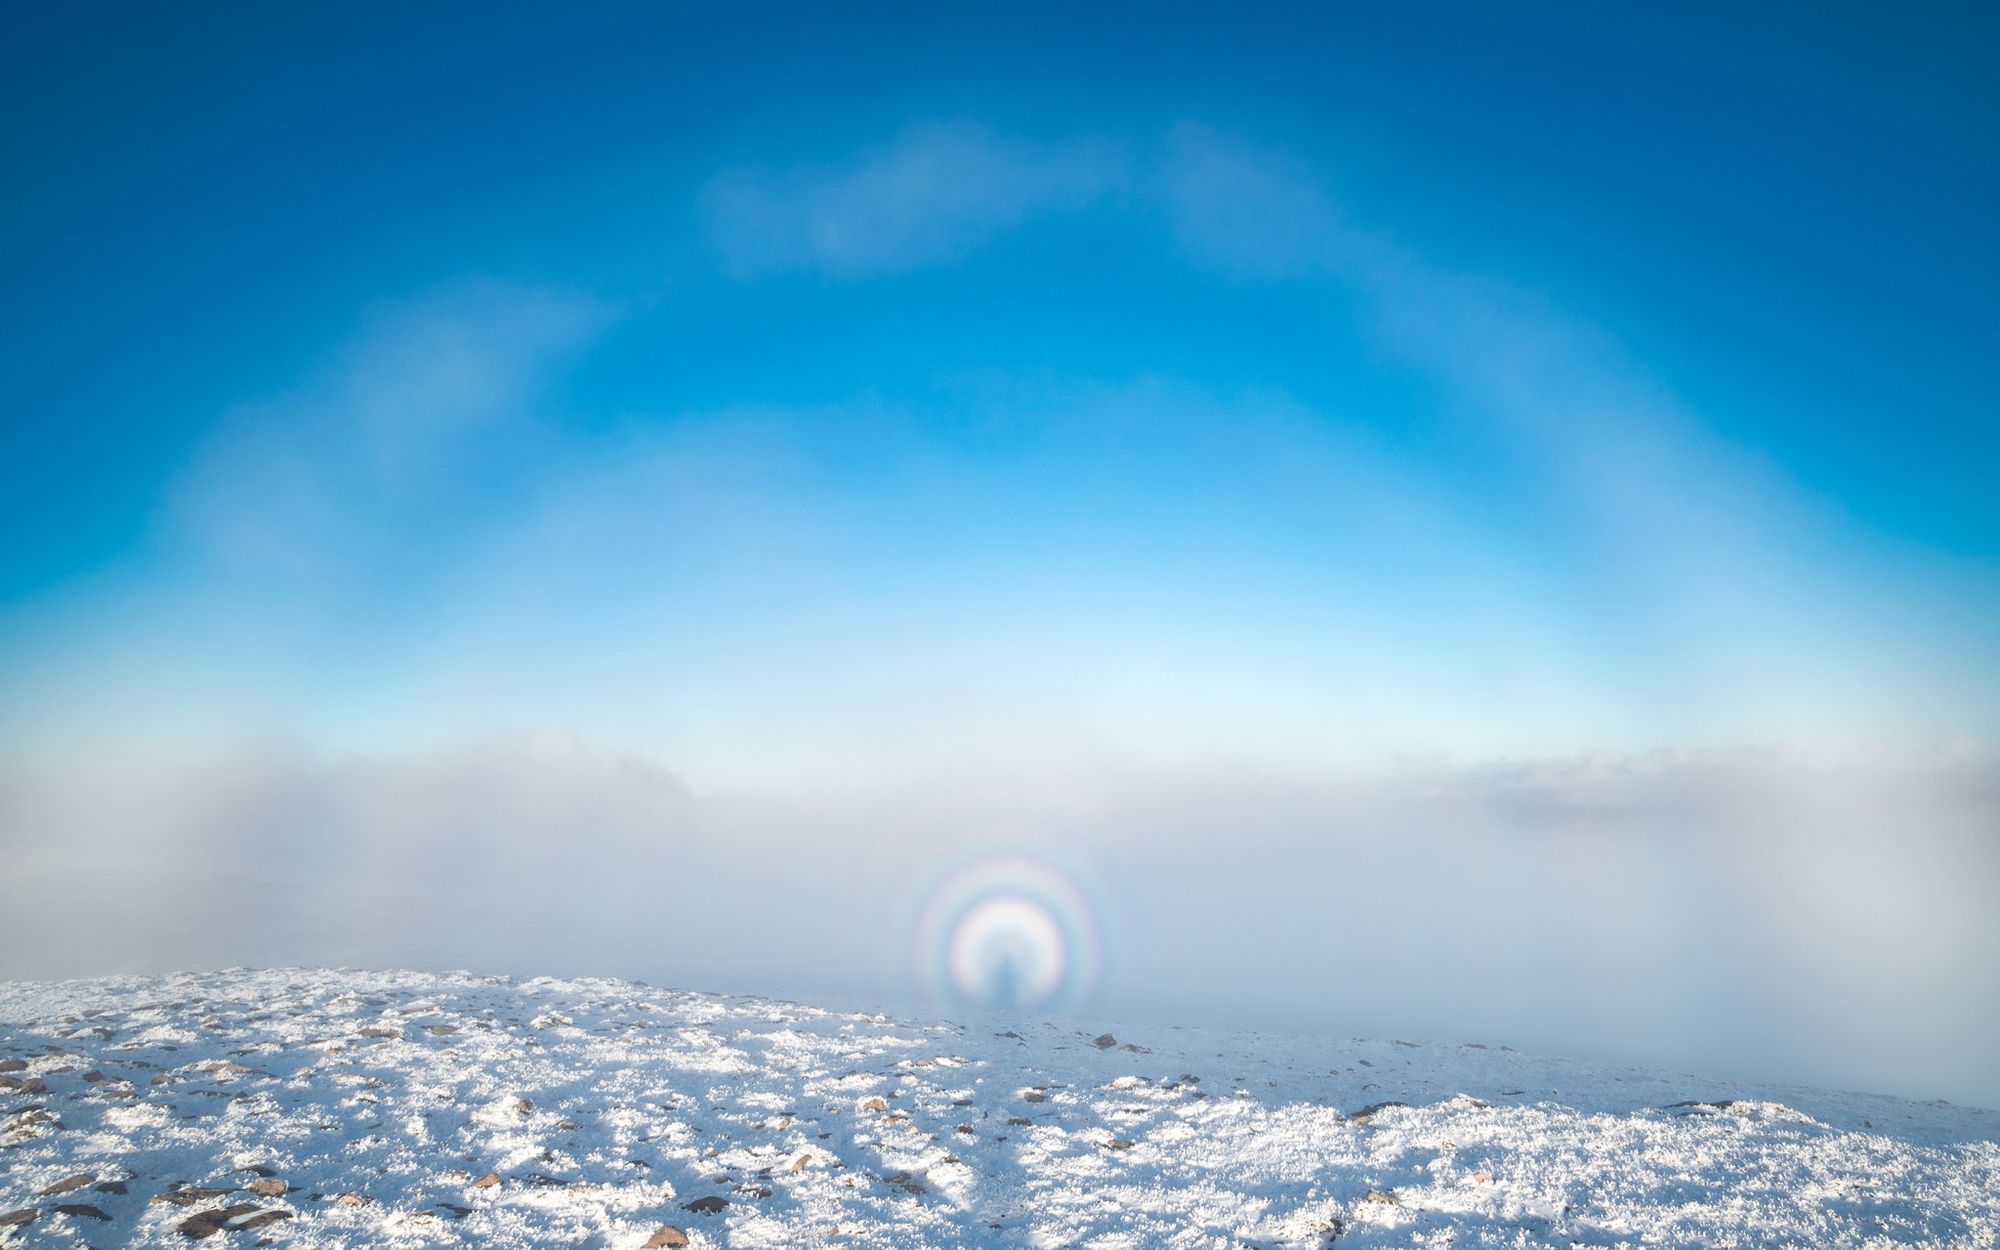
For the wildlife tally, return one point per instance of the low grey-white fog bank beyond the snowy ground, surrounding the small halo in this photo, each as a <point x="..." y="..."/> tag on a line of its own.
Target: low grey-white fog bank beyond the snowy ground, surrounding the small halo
<point x="1815" y="921"/>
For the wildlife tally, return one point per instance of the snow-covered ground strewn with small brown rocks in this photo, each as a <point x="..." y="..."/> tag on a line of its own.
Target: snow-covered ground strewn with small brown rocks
<point x="395" y="1109"/>
